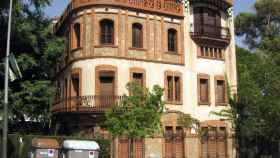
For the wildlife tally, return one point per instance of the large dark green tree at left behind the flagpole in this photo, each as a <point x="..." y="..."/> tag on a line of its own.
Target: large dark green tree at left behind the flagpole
<point x="36" y="50"/>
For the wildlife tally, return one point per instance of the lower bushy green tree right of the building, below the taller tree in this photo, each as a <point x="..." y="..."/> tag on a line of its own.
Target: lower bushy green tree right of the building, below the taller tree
<point x="254" y="111"/>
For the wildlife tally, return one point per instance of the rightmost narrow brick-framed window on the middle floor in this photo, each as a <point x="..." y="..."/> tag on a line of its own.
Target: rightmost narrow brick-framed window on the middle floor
<point x="220" y="92"/>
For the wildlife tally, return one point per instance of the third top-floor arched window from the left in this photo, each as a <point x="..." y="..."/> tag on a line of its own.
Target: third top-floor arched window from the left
<point x="137" y="35"/>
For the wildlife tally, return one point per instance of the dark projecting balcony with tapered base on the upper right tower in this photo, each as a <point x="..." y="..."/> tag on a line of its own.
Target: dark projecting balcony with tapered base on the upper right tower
<point x="210" y="34"/>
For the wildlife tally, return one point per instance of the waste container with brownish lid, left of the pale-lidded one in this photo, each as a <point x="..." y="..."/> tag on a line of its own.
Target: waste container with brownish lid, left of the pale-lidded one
<point x="44" y="148"/>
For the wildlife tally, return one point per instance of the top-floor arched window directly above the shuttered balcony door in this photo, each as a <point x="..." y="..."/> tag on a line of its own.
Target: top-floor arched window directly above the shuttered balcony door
<point x="107" y="31"/>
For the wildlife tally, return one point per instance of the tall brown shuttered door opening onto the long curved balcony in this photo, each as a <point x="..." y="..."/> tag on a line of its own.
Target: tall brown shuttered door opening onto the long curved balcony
<point x="107" y="88"/>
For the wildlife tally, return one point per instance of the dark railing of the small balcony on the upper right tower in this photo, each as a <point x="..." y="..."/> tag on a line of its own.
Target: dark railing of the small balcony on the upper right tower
<point x="210" y="31"/>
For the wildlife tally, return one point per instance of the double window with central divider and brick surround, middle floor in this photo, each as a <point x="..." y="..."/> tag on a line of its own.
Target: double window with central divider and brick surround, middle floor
<point x="173" y="88"/>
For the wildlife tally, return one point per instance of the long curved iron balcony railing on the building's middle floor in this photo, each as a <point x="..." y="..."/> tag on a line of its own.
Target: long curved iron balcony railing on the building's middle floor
<point x="88" y="104"/>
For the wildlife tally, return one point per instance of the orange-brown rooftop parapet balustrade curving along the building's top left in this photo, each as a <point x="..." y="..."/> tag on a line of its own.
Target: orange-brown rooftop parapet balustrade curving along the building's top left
<point x="166" y="7"/>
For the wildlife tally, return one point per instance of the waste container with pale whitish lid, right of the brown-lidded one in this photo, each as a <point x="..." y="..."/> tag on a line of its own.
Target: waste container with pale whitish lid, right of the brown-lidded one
<point x="80" y="149"/>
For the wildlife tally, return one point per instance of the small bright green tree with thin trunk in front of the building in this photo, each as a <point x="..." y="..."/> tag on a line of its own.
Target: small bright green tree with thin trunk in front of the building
<point x="138" y="115"/>
